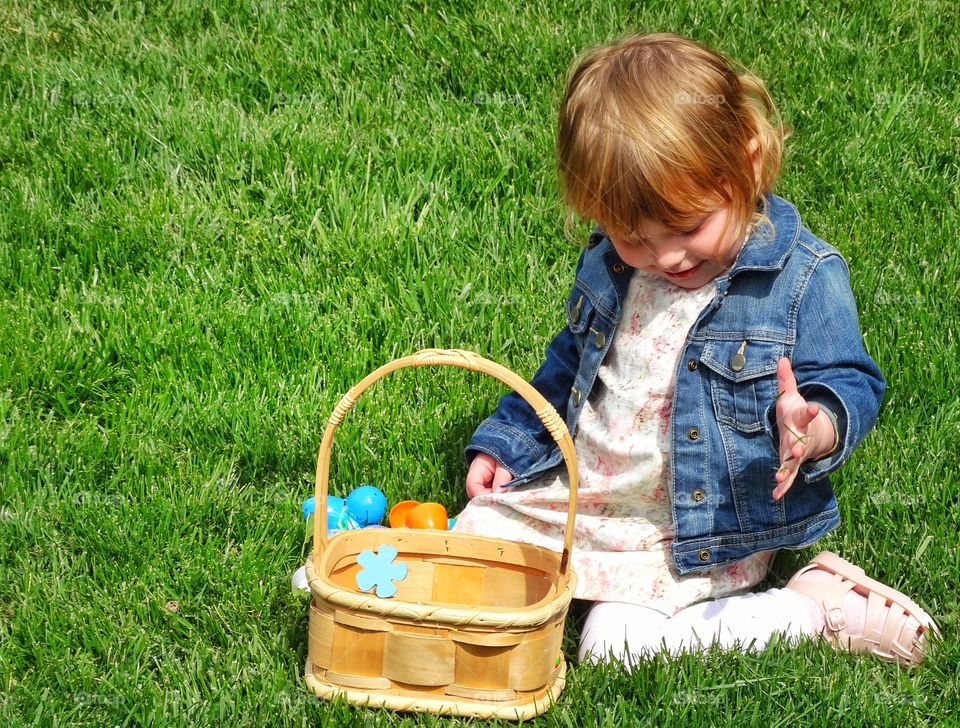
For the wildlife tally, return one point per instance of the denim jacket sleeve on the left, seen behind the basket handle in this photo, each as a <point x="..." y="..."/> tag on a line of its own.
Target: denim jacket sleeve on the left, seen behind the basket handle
<point x="513" y="434"/>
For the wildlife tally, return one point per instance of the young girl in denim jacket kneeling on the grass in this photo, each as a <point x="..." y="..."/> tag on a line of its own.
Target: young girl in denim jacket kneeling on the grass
<point x="712" y="373"/>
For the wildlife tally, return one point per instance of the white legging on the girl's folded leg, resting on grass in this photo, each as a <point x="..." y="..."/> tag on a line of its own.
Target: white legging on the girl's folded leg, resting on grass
<point x="627" y="632"/>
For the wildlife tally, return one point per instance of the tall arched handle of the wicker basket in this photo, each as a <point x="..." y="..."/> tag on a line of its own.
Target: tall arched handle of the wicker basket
<point x="465" y="360"/>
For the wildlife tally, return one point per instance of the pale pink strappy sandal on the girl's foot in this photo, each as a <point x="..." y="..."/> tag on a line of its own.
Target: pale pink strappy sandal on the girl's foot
<point x="895" y="628"/>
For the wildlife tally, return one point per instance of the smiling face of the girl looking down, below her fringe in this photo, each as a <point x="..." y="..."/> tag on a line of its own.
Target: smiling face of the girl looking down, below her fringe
<point x="687" y="258"/>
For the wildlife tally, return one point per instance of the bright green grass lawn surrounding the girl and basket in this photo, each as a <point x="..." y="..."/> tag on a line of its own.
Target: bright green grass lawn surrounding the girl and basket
<point x="217" y="217"/>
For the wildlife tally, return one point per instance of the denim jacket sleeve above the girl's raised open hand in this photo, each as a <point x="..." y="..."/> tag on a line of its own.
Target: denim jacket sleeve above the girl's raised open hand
<point x="831" y="366"/>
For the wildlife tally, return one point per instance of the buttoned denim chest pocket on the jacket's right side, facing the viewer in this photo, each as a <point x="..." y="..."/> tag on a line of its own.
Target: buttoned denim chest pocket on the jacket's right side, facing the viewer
<point x="743" y="380"/>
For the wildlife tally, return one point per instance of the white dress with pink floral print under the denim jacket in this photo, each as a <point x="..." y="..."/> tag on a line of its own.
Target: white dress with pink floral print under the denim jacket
<point x="624" y="529"/>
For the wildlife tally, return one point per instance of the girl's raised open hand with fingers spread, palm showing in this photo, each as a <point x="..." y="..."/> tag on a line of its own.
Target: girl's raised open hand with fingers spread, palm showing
<point x="806" y="433"/>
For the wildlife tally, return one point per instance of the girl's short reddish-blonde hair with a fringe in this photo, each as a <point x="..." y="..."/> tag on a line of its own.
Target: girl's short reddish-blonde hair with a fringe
<point x="659" y="127"/>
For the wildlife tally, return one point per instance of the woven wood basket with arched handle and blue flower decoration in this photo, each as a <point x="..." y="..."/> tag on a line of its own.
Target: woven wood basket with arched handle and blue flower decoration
<point x="476" y="627"/>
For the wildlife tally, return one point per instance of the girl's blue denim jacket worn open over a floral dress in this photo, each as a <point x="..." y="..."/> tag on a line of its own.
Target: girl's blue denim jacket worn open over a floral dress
<point x="788" y="294"/>
